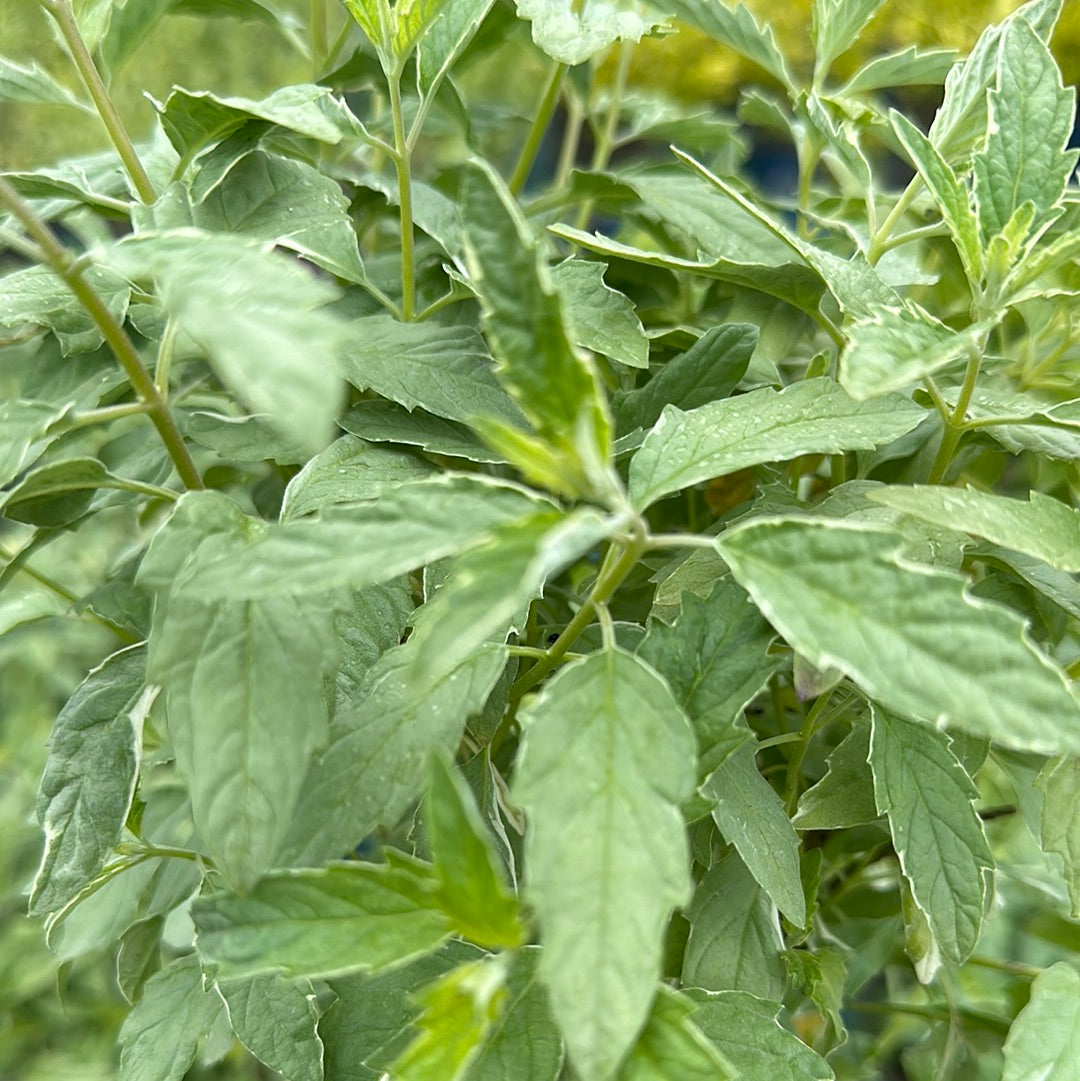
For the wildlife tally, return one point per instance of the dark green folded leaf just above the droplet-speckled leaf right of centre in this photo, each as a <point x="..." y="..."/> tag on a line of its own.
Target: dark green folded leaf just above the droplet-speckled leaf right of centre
<point x="708" y="372"/>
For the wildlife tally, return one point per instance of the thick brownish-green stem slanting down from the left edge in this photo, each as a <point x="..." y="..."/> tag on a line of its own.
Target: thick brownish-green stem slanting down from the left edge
<point x="60" y="261"/>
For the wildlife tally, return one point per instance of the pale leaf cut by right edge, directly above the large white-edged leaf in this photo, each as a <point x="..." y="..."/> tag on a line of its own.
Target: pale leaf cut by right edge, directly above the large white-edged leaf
<point x="1044" y="527"/>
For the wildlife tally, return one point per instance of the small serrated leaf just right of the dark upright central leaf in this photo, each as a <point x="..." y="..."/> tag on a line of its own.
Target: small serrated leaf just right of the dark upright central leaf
<point x="601" y="318"/>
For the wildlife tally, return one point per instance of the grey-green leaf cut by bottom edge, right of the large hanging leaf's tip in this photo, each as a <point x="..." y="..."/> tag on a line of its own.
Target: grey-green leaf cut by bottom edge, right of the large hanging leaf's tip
<point x="748" y="1033"/>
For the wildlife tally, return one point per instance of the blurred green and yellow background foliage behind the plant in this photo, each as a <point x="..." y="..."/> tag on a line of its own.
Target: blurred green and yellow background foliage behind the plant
<point x="59" y="1019"/>
